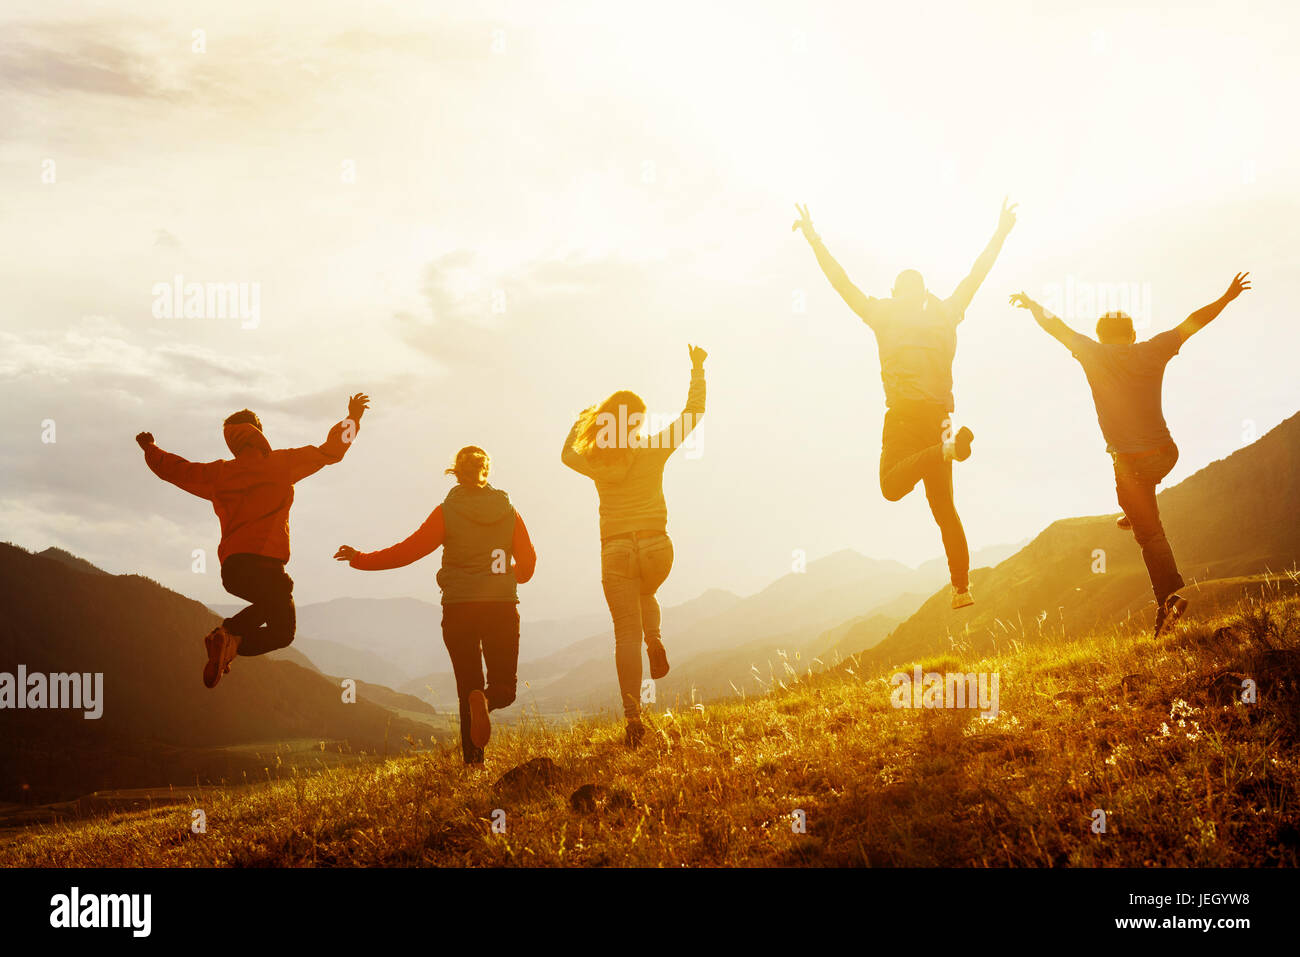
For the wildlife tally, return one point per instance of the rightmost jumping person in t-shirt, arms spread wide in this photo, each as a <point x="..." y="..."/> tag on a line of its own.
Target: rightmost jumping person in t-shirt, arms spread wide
<point x="1126" y="379"/>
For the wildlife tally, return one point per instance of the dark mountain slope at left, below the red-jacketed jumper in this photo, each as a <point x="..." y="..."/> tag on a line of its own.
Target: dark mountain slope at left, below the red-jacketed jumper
<point x="159" y="724"/>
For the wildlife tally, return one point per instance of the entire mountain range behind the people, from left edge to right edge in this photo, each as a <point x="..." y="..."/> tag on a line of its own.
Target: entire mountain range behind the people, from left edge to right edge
<point x="1233" y="526"/>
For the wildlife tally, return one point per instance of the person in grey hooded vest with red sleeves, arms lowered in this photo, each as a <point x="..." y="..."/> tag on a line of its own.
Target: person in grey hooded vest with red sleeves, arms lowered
<point x="486" y="555"/>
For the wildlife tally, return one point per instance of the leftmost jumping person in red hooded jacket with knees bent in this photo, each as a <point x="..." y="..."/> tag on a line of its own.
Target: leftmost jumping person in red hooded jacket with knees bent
<point x="252" y="496"/>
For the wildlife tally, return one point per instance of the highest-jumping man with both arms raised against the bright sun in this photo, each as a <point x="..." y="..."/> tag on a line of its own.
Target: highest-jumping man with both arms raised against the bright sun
<point x="917" y="336"/>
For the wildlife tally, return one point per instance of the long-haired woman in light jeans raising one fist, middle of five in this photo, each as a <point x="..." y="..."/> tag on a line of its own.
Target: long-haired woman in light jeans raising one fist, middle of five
<point x="610" y="445"/>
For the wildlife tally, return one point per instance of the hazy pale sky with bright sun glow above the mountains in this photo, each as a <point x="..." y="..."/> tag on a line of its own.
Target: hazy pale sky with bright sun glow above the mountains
<point x="489" y="216"/>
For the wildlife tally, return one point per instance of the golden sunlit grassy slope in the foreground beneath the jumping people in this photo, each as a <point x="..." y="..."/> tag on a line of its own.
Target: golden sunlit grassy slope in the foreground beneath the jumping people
<point x="1150" y="731"/>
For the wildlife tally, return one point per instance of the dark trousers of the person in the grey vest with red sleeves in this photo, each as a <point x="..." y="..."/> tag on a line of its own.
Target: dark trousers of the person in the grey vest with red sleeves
<point x="479" y="634"/>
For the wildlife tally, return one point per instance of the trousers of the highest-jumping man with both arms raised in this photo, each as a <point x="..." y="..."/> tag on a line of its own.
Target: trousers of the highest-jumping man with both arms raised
<point x="912" y="452"/>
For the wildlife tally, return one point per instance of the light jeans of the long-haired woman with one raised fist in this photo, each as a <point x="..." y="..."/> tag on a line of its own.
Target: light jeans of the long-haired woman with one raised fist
<point x="632" y="569"/>
